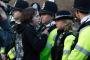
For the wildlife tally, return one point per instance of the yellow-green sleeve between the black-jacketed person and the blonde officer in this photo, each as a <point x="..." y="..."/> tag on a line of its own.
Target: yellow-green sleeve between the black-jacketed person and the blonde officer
<point x="45" y="54"/>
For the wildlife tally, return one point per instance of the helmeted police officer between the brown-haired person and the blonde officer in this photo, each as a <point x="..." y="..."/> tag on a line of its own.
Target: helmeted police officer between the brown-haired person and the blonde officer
<point x="47" y="13"/>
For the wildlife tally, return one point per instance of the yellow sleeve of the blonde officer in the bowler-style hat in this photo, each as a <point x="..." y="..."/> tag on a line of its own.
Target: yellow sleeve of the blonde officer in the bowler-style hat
<point x="69" y="40"/>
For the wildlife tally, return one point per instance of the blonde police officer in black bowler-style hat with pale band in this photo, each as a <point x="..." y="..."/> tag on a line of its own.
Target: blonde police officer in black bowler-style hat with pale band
<point x="64" y="24"/>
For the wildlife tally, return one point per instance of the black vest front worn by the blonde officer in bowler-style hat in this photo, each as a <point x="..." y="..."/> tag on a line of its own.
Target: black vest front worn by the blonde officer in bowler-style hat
<point x="57" y="51"/>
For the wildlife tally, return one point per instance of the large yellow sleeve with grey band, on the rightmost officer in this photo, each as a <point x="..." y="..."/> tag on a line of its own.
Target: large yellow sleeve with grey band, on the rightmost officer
<point x="82" y="48"/>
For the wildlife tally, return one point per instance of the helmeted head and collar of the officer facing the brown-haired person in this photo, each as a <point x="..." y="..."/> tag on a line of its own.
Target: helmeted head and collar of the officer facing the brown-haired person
<point x="47" y="13"/>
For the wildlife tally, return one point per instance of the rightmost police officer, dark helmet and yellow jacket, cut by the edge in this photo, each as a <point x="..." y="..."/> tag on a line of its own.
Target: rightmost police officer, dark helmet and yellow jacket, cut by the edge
<point x="81" y="50"/>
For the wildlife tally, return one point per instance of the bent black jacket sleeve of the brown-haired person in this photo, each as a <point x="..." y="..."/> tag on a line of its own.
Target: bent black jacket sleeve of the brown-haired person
<point x="33" y="40"/>
